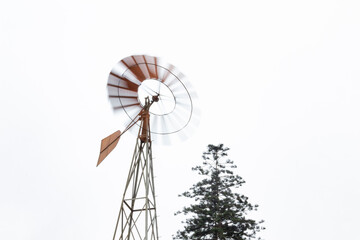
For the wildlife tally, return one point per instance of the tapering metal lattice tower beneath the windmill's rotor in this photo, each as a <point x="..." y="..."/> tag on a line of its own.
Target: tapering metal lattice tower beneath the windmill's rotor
<point x="137" y="218"/>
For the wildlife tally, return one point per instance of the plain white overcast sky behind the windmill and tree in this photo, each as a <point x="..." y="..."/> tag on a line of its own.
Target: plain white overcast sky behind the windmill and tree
<point x="278" y="82"/>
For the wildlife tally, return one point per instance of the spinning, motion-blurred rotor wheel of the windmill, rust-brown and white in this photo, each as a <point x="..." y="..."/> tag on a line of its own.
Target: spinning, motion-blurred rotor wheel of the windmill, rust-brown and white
<point x="136" y="77"/>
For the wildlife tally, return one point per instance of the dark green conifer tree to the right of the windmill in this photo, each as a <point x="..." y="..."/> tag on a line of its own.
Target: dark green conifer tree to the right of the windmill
<point x="218" y="212"/>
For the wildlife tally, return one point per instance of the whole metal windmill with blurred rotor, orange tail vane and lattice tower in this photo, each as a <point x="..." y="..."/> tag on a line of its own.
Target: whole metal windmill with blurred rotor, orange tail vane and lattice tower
<point x="158" y="103"/>
